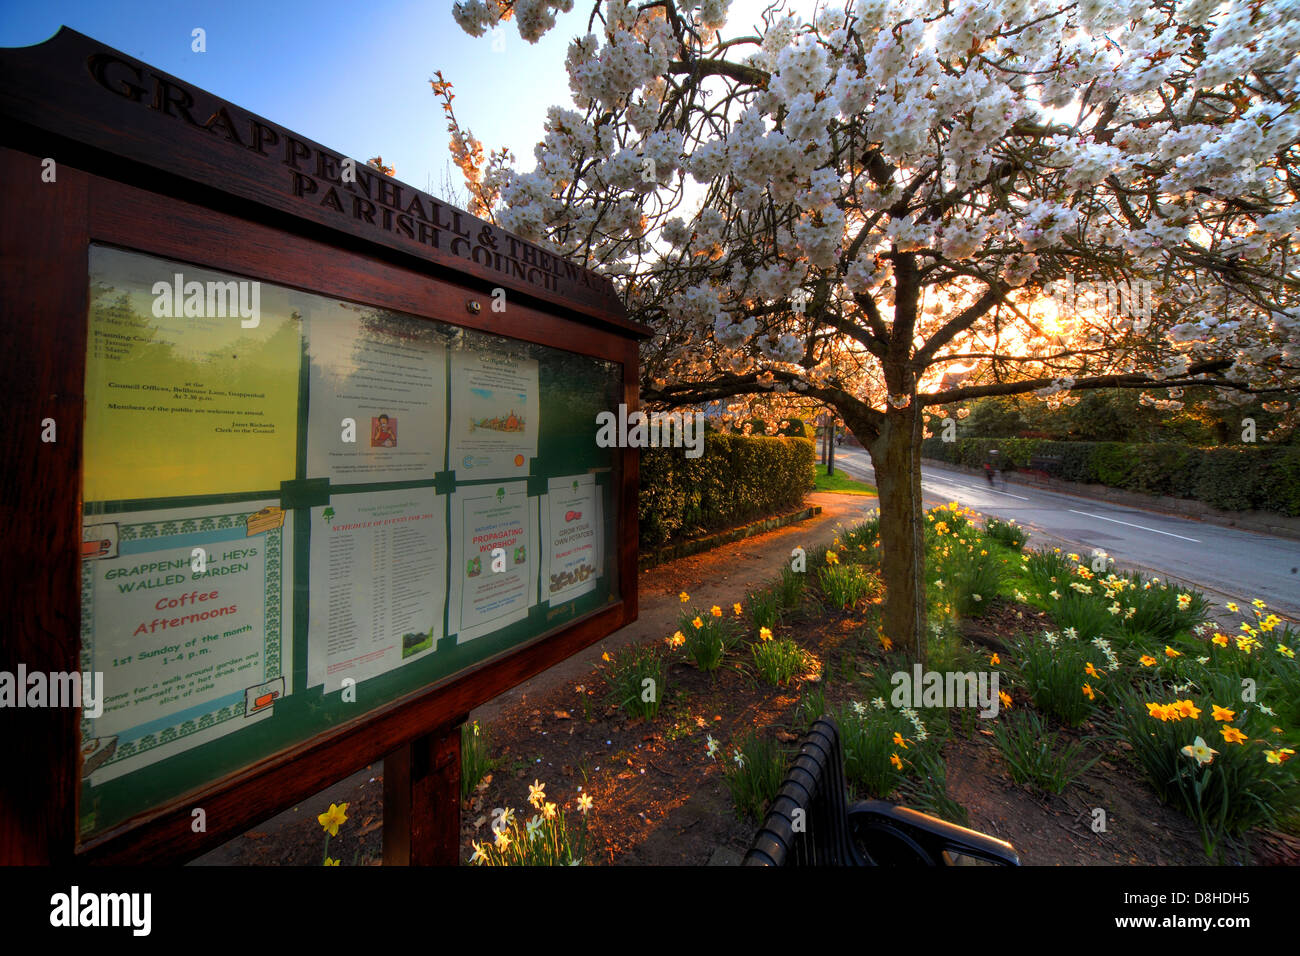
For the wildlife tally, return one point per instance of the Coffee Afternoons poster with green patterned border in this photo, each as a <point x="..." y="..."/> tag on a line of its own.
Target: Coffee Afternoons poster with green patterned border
<point x="192" y="646"/>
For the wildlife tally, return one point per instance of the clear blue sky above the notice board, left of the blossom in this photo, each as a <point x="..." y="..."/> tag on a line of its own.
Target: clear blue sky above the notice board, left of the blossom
<point x="354" y="77"/>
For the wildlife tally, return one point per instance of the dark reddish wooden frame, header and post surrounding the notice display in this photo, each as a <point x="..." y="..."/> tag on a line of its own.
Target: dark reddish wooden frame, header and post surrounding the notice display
<point x="131" y="174"/>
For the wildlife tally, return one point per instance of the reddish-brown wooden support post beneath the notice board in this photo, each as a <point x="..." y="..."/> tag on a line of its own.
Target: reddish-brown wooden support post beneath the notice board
<point x="422" y="801"/>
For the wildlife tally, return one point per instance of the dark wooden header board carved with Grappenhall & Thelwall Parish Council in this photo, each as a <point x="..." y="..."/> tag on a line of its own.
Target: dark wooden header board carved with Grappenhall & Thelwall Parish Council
<point x="128" y="120"/>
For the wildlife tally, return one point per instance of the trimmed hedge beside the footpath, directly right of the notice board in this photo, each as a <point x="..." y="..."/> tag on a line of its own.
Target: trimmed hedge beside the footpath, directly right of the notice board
<point x="736" y="481"/>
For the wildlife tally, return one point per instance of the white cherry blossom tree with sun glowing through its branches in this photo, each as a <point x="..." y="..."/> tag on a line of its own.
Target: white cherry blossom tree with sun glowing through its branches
<point x="900" y="205"/>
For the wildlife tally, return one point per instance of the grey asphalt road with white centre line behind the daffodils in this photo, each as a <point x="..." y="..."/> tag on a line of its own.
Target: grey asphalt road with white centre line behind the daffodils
<point x="1228" y="563"/>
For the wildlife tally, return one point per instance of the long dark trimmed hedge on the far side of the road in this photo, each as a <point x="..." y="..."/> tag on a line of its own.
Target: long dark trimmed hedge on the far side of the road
<point x="1233" y="478"/>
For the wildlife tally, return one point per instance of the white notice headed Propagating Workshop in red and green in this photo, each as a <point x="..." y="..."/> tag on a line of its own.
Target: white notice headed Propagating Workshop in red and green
<point x="493" y="559"/>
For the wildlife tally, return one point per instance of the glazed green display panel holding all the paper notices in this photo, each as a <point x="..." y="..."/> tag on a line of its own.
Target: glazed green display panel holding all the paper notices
<point x="298" y="509"/>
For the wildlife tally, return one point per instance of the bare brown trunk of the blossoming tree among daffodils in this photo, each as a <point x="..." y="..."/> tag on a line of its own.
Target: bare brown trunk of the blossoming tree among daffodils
<point x="896" y="457"/>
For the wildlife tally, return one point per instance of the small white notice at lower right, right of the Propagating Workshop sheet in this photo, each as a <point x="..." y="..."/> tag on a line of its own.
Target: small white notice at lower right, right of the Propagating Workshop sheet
<point x="573" y="537"/>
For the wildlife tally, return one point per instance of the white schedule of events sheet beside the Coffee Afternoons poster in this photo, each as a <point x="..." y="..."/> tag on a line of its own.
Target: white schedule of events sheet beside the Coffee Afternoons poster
<point x="378" y="583"/>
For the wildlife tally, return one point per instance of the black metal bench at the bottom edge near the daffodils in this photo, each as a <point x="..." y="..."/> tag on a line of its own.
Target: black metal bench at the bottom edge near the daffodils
<point x="812" y="824"/>
